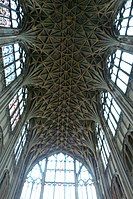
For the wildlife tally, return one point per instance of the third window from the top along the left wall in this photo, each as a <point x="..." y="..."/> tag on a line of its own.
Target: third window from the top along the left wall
<point x="16" y="106"/>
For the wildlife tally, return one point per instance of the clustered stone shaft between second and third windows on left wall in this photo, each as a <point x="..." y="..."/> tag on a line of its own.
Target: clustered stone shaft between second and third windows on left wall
<point x="8" y="93"/>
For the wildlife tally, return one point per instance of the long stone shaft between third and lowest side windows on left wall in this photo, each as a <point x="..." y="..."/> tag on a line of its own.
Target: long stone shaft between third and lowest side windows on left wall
<point x="7" y="154"/>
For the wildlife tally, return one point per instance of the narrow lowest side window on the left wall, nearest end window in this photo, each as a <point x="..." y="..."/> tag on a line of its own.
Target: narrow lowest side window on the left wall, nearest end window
<point x="21" y="142"/>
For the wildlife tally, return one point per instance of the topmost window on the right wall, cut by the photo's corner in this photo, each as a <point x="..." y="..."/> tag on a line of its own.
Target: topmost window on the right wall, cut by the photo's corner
<point x="124" y="19"/>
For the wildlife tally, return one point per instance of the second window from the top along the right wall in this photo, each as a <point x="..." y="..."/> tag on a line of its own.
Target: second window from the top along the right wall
<point x="120" y="67"/>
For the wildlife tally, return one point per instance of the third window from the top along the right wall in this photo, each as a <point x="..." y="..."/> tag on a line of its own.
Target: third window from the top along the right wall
<point x="111" y="111"/>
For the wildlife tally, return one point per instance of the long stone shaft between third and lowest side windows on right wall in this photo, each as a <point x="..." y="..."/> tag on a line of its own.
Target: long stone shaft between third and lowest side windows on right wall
<point x="117" y="160"/>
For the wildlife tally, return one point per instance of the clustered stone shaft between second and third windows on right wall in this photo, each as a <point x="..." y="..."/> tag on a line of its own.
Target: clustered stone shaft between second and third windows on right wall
<point x="122" y="101"/>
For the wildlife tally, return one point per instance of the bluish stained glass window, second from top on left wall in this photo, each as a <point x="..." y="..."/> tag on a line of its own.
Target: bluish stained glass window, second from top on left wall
<point x="13" y="61"/>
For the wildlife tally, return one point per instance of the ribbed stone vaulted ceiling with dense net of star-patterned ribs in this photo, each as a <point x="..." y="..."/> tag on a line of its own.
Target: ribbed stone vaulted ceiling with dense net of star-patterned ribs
<point x="68" y="42"/>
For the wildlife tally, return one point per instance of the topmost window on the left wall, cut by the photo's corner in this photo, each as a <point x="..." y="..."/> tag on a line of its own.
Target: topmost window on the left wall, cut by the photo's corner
<point x="11" y="13"/>
